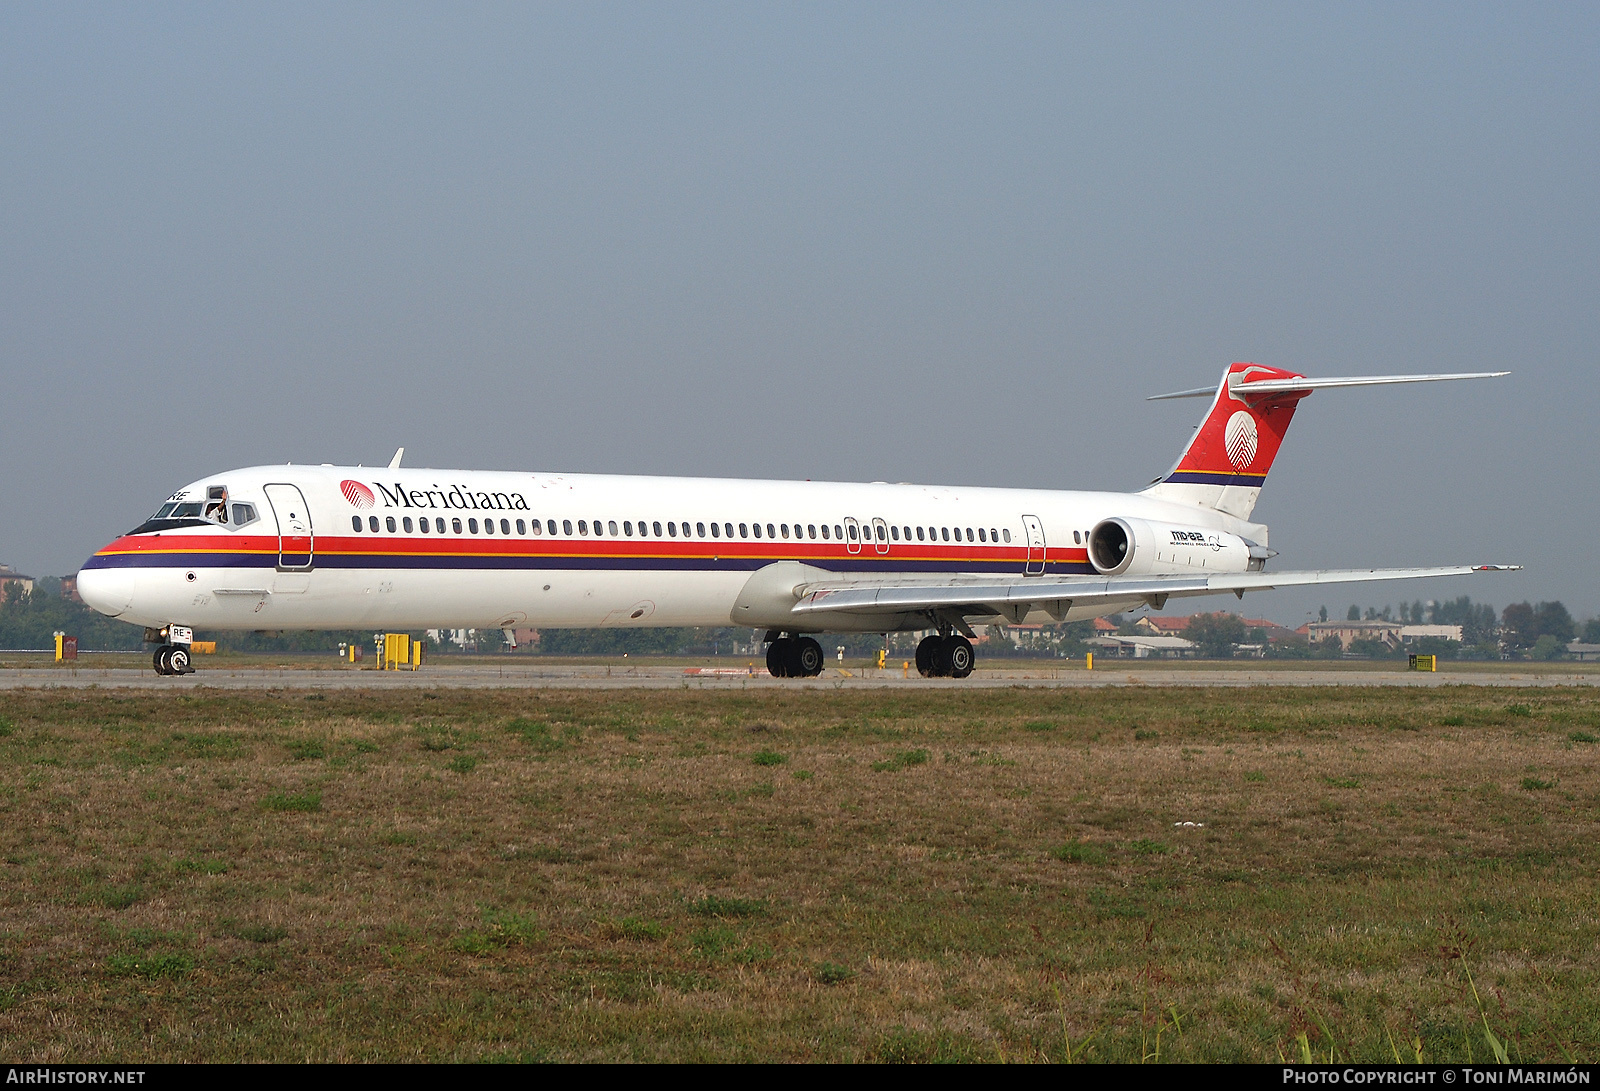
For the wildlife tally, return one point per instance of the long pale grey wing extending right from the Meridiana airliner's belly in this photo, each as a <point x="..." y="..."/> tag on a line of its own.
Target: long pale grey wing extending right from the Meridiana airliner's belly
<point x="1017" y="597"/>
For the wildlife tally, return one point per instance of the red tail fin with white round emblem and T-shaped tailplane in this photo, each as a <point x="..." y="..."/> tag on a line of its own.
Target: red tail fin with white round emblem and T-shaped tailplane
<point x="1231" y="452"/>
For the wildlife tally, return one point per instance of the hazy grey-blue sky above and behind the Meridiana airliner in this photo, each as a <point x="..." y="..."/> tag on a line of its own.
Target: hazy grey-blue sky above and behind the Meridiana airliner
<point x="850" y="242"/>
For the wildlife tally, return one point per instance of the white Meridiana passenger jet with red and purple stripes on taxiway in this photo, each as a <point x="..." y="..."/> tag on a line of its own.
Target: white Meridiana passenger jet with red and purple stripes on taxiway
<point x="278" y="548"/>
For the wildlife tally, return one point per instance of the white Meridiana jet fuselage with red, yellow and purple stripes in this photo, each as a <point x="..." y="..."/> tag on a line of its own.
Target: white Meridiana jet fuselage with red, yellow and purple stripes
<point x="343" y="548"/>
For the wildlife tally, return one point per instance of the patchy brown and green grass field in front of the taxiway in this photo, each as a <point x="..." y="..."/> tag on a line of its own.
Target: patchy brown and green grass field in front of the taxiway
<point x="495" y="876"/>
